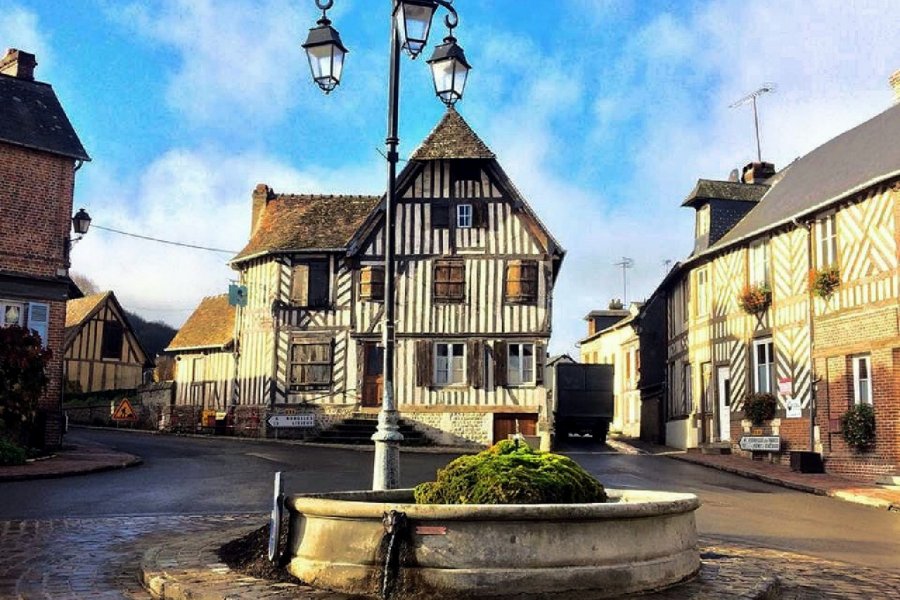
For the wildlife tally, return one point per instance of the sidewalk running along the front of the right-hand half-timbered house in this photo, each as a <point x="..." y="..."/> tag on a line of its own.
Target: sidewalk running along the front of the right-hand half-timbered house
<point x="822" y="484"/>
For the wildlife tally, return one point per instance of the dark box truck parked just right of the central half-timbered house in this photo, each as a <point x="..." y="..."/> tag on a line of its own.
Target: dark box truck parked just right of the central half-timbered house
<point x="582" y="399"/>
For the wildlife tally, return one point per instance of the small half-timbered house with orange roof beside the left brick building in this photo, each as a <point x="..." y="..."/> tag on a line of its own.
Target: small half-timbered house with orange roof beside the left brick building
<point x="102" y="351"/>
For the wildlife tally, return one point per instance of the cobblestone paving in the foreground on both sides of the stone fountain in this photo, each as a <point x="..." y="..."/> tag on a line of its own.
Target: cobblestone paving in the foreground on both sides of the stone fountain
<point x="102" y="558"/>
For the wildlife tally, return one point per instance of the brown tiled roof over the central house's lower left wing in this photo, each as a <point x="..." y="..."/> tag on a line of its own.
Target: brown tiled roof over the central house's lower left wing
<point x="307" y="222"/>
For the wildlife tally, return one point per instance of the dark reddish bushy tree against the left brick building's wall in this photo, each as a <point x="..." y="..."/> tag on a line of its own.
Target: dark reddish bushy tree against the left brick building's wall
<point x="23" y="378"/>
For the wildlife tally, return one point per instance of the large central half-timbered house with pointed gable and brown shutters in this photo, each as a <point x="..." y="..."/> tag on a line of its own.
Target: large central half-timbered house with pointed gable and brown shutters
<point x="474" y="284"/>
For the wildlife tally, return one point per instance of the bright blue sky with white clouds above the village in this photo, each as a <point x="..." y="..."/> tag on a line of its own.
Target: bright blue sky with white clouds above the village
<point x="603" y="112"/>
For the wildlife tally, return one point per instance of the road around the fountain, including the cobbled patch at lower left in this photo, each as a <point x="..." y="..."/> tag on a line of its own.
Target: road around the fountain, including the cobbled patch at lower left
<point x="80" y="536"/>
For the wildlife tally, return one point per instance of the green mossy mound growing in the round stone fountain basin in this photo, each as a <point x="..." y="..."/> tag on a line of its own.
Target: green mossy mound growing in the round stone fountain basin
<point x="510" y="473"/>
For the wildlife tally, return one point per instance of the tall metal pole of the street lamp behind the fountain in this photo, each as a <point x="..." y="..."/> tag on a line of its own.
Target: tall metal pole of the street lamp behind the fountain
<point x="387" y="438"/>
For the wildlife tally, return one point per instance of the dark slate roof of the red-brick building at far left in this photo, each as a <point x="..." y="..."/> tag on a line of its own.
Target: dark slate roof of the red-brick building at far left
<point x="31" y="116"/>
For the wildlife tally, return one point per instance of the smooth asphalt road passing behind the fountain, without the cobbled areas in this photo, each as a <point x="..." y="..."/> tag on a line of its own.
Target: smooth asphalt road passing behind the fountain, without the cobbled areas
<point x="208" y="476"/>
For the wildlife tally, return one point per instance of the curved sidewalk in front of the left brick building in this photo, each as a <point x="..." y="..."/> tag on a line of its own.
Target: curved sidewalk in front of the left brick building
<point x="71" y="460"/>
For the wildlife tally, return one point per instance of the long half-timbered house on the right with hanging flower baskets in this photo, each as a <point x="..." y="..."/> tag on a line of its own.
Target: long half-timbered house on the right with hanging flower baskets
<point x="820" y="350"/>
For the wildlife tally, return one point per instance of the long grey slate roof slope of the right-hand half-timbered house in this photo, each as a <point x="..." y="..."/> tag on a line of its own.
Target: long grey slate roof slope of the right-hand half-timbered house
<point x="851" y="162"/>
